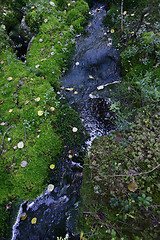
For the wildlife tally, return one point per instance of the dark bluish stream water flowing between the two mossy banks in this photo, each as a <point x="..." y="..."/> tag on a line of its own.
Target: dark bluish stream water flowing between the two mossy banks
<point x="93" y="69"/>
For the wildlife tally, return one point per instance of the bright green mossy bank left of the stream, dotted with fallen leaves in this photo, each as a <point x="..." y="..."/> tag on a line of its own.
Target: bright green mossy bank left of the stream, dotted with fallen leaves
<point x="36" y="126"/>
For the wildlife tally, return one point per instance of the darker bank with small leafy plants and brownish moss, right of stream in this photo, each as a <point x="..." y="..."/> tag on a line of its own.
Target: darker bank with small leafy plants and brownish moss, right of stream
<point x="121" y="188"/>
